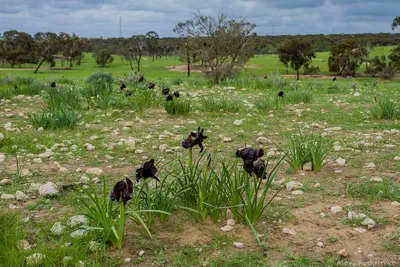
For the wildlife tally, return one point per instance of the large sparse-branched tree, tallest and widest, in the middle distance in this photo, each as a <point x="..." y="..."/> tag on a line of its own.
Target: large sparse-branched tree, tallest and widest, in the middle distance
<point x="223" y="44"/>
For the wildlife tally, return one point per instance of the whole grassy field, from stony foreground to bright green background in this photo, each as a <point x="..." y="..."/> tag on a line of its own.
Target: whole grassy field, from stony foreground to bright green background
<point x="58" y="134"/>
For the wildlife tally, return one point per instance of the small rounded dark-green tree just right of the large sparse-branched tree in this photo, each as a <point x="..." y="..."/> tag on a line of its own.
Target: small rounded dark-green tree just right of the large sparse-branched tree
<point x="297" y="52"/>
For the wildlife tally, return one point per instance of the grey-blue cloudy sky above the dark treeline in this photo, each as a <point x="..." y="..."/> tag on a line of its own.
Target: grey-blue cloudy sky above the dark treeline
<point x="94" y="18"/>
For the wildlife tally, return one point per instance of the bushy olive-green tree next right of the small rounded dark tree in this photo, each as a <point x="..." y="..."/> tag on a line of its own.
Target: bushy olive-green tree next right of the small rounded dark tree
<point x="346" y="57"/>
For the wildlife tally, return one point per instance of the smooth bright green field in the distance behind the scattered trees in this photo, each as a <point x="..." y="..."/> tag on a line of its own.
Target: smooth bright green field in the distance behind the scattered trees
<point x="260" y="65"/>
